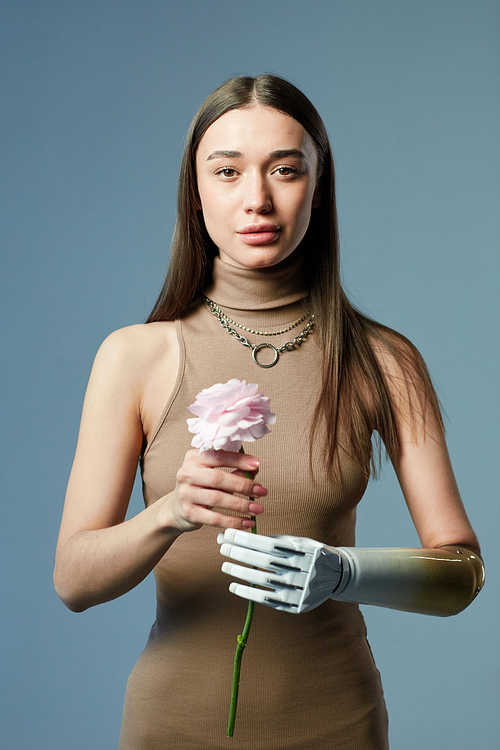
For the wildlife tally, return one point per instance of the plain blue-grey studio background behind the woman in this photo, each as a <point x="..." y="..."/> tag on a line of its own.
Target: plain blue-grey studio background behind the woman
<point x="97" y="98"/>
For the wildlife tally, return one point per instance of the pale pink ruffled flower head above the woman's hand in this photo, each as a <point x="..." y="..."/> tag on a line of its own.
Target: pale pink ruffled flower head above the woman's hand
<point x="229" y="414"/>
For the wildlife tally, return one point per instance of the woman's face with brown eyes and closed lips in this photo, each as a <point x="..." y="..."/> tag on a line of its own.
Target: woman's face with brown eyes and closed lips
<point x="256" y="170"/>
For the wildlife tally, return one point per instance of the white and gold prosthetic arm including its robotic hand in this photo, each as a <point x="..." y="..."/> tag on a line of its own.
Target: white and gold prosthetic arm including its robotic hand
<point x="298" y="574"/>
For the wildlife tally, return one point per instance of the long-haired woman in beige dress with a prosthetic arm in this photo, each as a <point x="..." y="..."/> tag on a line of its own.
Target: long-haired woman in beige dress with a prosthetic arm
<point x="255" y="255"/>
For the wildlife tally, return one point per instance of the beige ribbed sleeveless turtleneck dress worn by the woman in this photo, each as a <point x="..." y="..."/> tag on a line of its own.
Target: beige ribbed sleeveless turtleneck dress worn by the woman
<point x="307" y="681"/>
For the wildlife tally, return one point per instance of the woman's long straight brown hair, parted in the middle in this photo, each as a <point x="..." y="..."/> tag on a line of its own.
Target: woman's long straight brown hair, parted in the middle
<point x="355" y="399"/>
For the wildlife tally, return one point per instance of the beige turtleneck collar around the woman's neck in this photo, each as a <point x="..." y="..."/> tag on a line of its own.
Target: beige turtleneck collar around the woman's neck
<point x="257" y="289"/>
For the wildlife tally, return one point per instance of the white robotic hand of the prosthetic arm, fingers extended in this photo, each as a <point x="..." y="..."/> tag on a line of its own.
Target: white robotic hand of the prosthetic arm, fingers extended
<point x="298" y="573"/>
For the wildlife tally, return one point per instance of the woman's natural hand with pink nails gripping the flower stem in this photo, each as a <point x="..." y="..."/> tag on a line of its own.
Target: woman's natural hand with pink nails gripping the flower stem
<point x="203" y="489"/>
